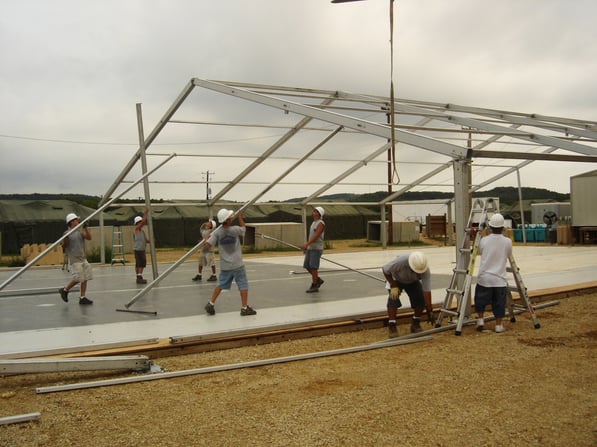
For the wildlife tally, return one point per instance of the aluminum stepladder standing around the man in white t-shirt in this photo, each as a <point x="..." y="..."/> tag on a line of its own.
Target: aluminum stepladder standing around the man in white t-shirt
<point x="461" y="282"/>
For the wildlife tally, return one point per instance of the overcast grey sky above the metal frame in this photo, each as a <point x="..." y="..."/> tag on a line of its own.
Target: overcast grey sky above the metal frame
<point x="72" y="71"/>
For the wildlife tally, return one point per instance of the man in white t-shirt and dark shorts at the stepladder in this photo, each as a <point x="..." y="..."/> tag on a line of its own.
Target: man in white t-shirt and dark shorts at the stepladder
<point x="492" y="284"/>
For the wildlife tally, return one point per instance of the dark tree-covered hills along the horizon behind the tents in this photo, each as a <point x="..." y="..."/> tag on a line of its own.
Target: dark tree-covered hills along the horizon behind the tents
<point x="507" y="195"/>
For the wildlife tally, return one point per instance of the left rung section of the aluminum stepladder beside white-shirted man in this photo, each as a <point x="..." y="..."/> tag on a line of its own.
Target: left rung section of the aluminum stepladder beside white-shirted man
<point x="459" y="289"/>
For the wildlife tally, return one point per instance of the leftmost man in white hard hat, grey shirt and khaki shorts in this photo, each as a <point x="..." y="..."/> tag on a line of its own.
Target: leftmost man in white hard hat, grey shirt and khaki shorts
<point x="74" y="247"/>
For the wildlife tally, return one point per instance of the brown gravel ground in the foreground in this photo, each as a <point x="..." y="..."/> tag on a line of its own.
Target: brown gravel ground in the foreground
<point x="525" y="387"/>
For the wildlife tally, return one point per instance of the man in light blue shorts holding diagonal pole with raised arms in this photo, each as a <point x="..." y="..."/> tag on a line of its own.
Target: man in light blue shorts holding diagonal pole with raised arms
<point x="232" y="267"/>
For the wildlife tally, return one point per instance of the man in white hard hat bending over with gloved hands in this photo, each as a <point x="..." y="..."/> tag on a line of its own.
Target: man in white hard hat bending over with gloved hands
<point x="409" y="273"/>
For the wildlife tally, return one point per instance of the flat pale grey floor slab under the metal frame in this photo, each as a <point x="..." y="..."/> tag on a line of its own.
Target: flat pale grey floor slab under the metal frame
<point x="38" y="321"/>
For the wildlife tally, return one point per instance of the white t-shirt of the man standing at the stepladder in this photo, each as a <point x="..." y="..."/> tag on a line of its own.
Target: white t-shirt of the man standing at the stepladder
<point x="494" y="251"/>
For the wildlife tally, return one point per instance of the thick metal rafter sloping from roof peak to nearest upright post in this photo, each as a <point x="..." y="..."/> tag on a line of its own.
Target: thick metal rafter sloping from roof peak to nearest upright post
<point x="348" y="122"/>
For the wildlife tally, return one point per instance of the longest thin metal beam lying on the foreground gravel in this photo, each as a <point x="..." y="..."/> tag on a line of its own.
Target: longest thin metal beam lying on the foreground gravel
<point x="230" y="367"/>
